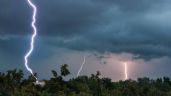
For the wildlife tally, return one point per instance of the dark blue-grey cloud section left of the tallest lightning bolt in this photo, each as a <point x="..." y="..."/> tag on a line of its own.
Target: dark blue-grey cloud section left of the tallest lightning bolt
<point x="14" y="17"/>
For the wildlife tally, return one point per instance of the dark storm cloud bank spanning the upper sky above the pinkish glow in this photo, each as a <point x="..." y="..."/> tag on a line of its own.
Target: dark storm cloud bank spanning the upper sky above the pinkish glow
<point x="138" y="26"/>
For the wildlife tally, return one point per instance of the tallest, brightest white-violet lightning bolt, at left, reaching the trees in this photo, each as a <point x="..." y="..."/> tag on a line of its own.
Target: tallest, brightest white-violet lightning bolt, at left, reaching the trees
<point x="33" y="6"/>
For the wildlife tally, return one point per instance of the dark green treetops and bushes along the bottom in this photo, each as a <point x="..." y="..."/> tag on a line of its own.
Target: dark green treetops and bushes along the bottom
<point x="12" y="83"/>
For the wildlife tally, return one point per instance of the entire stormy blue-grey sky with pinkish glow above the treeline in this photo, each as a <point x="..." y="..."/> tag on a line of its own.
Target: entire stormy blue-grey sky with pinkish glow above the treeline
<point x="107" y="32"/>
